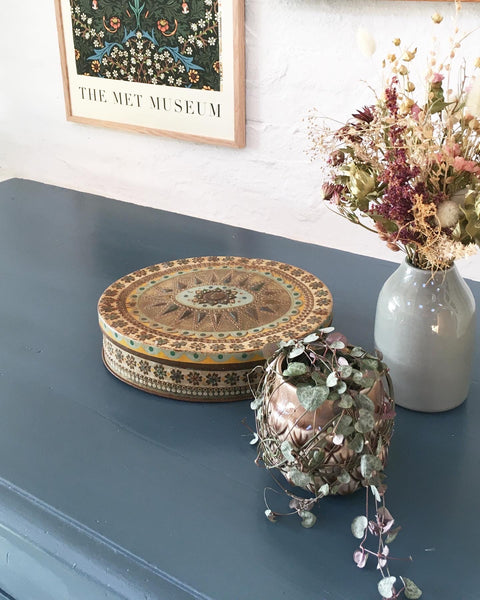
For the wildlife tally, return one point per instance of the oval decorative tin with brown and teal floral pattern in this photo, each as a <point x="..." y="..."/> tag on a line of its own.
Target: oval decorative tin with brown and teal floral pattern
<point x="194" y="329"/>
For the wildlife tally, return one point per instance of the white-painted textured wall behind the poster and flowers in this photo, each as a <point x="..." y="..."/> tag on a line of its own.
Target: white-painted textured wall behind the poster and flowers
<point x="300" y="54"/>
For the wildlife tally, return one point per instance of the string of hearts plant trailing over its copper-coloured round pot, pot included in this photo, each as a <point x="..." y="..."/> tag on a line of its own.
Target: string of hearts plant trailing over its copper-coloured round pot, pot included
<point x="324" y="413"/>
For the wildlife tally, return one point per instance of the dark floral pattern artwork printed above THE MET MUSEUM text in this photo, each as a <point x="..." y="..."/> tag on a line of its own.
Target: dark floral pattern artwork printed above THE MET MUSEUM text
<point x="160" y="42"/>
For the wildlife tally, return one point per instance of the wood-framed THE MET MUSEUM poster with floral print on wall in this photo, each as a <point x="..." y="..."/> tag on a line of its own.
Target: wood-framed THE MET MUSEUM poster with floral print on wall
<point x="169" y="67"/>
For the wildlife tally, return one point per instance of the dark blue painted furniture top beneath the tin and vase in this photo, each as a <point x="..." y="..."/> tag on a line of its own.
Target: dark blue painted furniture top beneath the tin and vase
<point x="109" y="492"/>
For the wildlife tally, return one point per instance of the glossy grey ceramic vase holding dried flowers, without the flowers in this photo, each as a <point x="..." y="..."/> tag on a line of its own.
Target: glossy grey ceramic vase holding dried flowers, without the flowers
<point x="425" y="329"/>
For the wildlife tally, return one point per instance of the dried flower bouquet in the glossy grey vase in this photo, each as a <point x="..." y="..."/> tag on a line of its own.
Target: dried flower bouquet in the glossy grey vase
<point x="408" y="166"/>
